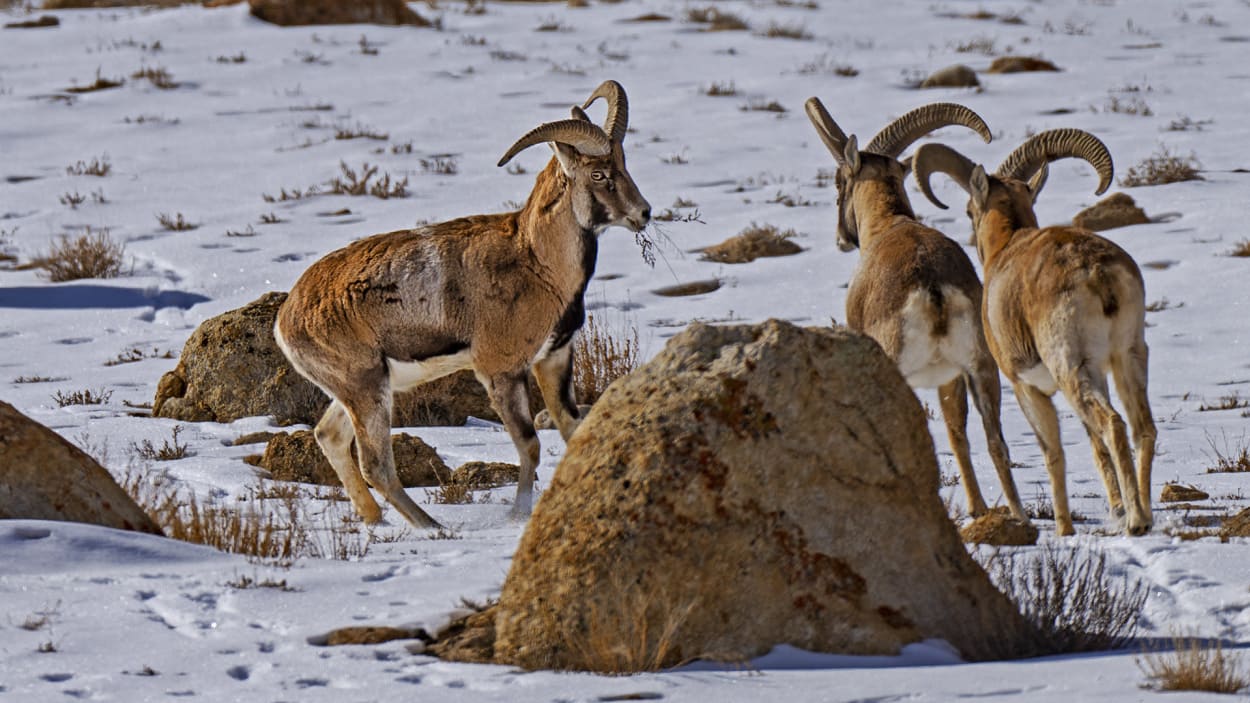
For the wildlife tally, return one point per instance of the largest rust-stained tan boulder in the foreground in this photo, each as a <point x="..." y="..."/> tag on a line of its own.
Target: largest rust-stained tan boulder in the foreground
<point x="751" y="486"/>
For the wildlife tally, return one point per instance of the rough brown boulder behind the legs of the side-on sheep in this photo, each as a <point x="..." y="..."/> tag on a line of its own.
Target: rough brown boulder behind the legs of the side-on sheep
<point x="232" y="368"/>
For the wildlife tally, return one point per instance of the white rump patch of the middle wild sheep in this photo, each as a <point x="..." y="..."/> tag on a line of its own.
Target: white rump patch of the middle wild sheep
<point x="929" y="362"/>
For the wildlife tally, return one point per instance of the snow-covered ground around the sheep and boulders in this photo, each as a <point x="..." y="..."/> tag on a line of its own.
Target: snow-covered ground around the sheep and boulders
<point x="256" y="111"/>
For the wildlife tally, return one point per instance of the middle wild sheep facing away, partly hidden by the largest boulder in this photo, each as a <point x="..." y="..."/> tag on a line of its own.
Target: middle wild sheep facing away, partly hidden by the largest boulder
<point x="916" y="292"/>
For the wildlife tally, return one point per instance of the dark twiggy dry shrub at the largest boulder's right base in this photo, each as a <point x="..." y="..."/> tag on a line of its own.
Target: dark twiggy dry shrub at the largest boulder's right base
<point x="1072" y="599"/>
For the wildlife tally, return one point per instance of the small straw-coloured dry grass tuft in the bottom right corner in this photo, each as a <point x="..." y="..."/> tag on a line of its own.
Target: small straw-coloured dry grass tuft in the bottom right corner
<point x="1194" y="666"/>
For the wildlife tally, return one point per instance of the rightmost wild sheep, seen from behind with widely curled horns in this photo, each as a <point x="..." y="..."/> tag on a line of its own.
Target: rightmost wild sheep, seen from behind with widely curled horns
<point x="1063" y="308"/>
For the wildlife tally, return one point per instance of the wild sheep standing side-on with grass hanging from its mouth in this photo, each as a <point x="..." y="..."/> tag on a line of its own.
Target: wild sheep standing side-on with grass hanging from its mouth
<point x="499" y="295"/>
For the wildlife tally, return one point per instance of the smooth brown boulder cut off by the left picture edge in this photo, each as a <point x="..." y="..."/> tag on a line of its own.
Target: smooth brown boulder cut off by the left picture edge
<point x="43" y="477"/>
